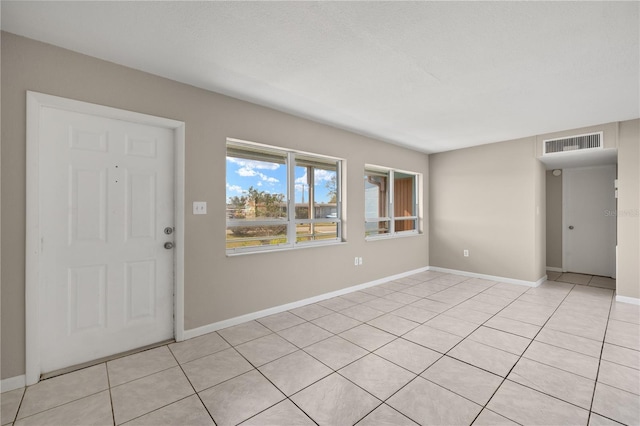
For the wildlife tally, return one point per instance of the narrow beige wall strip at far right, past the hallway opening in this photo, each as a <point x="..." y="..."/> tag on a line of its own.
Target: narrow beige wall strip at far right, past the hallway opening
<point x="628" y="276"/>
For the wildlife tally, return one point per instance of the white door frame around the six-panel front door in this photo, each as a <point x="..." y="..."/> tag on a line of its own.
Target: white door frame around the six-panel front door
<point x="33" y="286"/>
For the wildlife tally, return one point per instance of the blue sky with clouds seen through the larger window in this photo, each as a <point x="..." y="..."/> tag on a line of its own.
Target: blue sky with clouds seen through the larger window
<point x="271" y="178"/>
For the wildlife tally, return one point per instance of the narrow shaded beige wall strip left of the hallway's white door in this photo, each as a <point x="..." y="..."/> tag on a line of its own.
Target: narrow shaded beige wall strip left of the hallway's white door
<point x="554" y="220"/>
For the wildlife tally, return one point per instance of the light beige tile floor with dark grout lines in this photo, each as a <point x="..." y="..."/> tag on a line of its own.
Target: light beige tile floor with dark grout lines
<point x="431" y="348"/>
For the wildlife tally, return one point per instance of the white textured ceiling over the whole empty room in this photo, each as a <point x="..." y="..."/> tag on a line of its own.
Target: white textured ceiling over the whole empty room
<point x="433" y="76"/>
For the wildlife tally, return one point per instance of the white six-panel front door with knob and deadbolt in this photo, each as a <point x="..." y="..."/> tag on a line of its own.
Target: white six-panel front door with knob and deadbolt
<point x="106" y="197"/>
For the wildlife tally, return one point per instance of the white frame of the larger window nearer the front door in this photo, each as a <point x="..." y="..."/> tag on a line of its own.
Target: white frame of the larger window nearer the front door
<point x="290" y="221"/>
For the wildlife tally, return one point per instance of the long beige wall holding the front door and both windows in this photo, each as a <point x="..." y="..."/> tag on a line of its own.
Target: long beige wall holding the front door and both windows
<point x="216" y="287"/>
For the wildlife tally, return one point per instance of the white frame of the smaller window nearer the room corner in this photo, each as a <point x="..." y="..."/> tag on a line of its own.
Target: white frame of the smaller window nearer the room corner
<point x="390" y="193"/>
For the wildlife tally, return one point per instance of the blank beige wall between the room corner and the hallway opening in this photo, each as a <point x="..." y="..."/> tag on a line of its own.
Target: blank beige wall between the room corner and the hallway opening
<point x="490" y="200"/>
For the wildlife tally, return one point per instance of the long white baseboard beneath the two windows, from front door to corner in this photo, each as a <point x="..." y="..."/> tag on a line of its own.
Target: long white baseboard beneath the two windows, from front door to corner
<point x="195" y="332"/>
